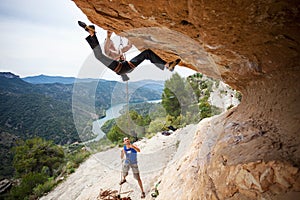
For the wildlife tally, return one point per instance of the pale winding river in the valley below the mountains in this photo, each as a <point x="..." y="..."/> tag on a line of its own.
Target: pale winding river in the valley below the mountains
<point x="111" y="113"/>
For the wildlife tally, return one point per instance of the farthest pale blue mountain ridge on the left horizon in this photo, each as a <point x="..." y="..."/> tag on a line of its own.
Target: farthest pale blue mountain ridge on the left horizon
<point x="43" y="79"/>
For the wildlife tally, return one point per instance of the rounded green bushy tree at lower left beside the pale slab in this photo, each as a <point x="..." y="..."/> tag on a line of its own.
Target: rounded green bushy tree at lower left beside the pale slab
<point x="35" y="154"/>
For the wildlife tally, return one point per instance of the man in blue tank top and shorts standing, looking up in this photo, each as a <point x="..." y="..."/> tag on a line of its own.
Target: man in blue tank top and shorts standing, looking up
<point x="130" y="152"/>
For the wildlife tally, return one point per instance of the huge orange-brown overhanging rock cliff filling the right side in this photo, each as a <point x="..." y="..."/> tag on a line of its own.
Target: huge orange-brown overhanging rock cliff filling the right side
<point x="251" y="151"/>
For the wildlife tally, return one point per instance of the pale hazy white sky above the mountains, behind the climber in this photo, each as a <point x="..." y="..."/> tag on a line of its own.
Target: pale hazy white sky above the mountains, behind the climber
<point x="43" y="37"/>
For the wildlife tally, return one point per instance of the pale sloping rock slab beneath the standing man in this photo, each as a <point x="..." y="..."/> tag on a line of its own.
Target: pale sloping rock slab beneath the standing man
<point x="102" y="170"/>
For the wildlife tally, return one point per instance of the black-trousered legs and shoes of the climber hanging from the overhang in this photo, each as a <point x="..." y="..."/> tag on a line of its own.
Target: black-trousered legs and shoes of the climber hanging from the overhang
<point x="124" y="67"/>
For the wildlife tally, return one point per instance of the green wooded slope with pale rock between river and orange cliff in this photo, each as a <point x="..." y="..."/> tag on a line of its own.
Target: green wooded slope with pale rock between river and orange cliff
<point x="184" y="101"/>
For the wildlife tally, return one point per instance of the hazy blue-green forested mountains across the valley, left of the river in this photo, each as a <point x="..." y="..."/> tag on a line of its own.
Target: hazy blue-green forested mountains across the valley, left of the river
<point x="23" y="104"/>
